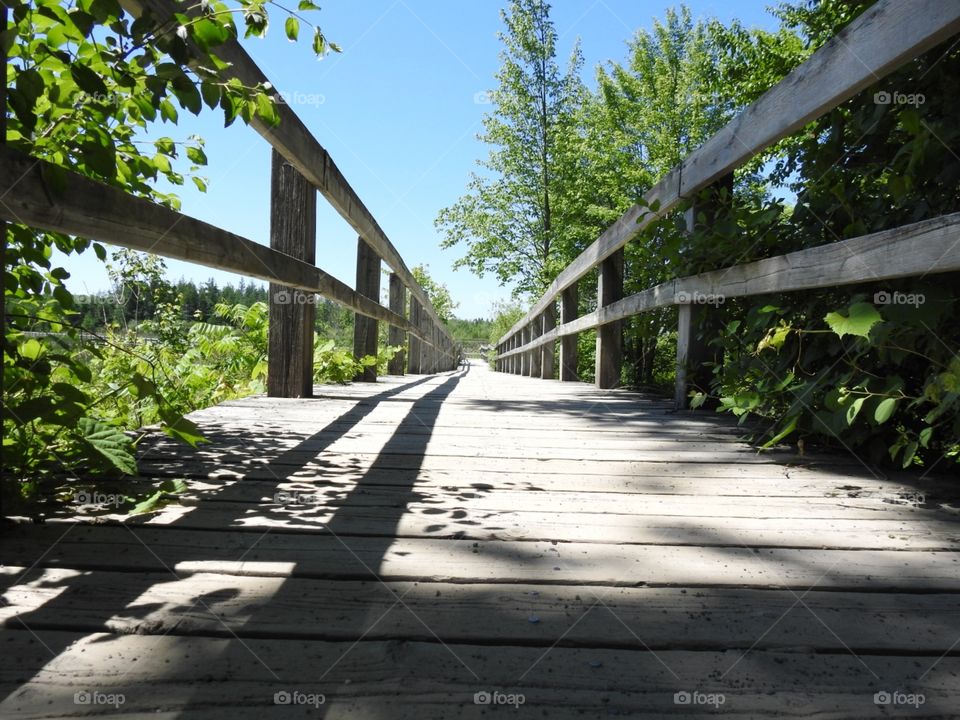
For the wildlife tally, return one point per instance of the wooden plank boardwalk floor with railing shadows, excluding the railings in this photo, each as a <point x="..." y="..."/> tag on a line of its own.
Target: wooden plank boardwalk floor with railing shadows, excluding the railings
<point x="414" y="548"/>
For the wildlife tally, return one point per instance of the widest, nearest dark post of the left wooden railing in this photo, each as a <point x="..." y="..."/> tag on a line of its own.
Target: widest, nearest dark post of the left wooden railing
<point x="293" y="230"/>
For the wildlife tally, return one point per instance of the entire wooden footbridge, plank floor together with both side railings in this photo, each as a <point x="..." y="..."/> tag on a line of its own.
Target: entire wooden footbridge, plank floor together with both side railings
<point x="455" y="540"/>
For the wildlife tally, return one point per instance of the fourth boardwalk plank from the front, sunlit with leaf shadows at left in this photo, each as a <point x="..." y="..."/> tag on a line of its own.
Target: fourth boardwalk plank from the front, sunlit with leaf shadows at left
<point x="309" y="509"/>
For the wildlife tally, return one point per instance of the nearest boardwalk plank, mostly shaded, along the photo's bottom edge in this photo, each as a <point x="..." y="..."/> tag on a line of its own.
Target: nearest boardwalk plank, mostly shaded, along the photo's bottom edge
<point x="223" y="678"/>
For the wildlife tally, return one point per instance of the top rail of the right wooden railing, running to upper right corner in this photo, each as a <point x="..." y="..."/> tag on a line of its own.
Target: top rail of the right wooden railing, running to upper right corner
<point x="884" y="37"/>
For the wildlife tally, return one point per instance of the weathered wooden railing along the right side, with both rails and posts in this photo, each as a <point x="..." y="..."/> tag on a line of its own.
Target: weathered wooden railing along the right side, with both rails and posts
<point x="885" y="37"/>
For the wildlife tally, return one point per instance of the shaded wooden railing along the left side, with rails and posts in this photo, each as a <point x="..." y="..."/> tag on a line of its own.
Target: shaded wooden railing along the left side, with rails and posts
<point x="300" y="168"/>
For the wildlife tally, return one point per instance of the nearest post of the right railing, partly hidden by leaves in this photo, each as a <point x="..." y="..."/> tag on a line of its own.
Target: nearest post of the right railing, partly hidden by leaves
<point x="693" y="318"/>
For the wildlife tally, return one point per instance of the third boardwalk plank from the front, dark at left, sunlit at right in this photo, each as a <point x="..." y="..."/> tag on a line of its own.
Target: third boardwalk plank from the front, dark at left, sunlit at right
<point x="417" y="559"/>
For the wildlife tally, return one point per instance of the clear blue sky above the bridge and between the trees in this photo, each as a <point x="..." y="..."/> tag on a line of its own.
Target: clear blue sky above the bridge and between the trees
<point x="397" y="112"/>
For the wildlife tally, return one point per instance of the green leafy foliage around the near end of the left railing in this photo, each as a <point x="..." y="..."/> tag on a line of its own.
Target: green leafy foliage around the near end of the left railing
<point x="86" y="84"/>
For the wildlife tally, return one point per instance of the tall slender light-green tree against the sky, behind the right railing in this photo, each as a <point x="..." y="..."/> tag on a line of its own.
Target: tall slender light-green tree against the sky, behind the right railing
<point x="508" y="220"/>
